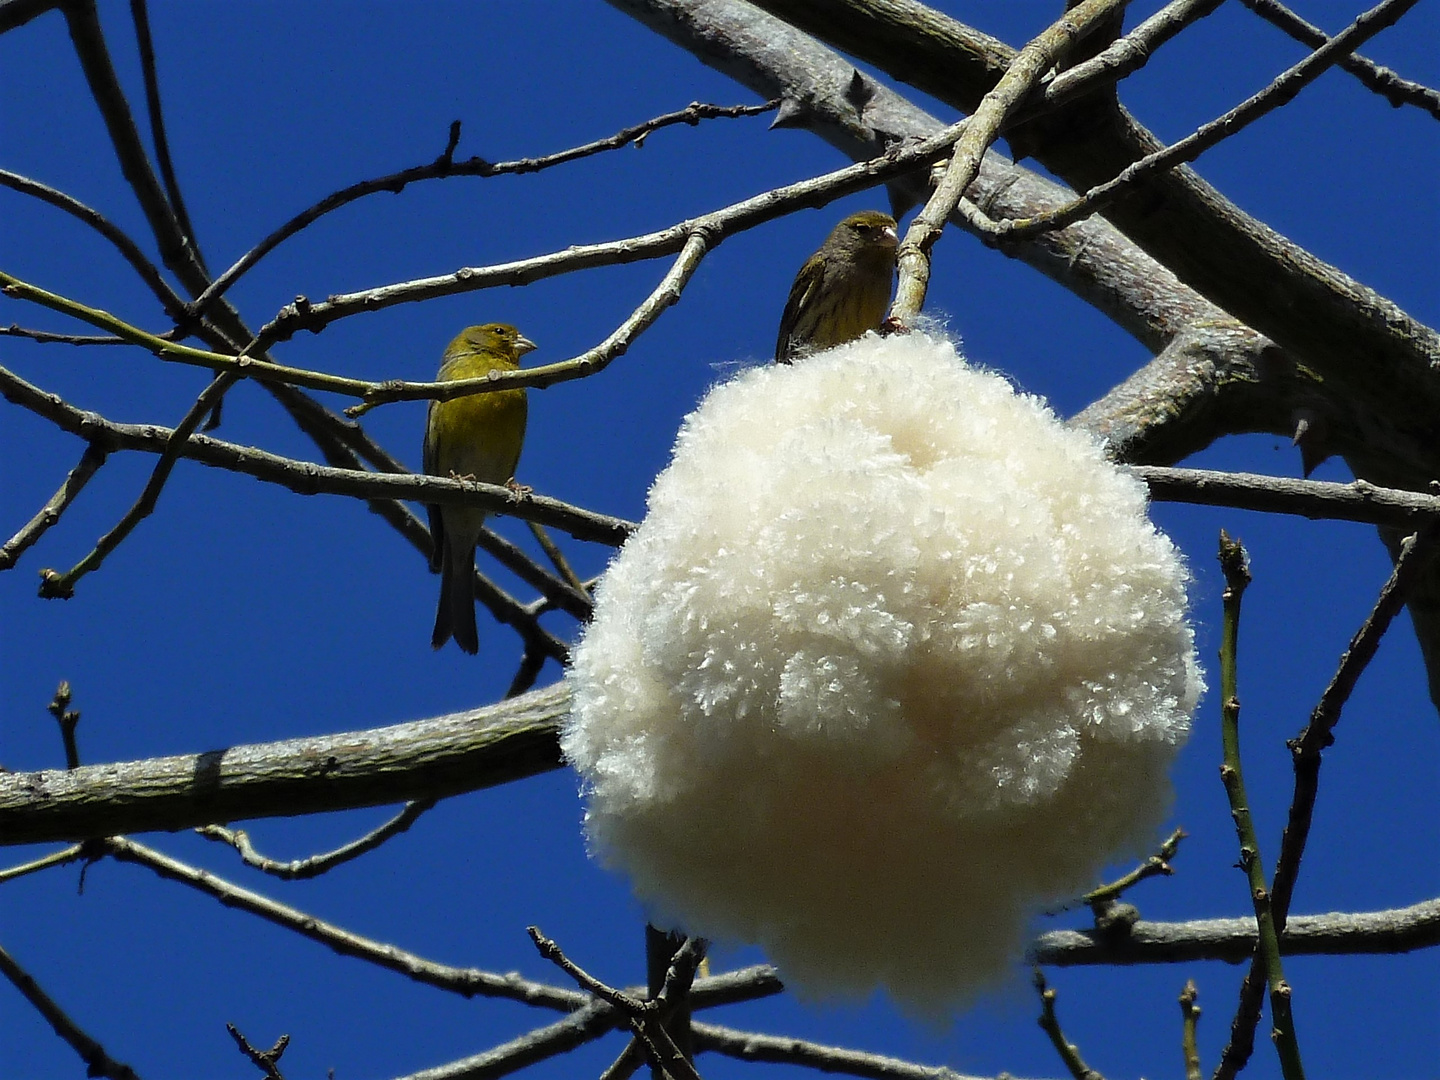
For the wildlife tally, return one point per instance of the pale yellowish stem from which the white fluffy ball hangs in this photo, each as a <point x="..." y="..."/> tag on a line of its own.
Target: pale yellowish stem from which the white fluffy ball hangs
<point x="977" y="135"/>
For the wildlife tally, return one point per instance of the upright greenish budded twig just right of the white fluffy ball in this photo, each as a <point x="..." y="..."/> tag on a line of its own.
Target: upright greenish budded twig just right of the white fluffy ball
<point x="1235" y="564"/>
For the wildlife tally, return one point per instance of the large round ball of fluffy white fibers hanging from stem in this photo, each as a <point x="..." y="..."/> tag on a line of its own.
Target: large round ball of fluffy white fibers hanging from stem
<point x="894" y="660"/>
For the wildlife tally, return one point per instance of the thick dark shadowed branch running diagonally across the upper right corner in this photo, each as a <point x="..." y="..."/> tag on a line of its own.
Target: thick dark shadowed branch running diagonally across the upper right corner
<point x="1353" y="335"/>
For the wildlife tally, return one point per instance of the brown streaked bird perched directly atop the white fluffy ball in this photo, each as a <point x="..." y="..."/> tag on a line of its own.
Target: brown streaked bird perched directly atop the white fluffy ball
<point x="843" y="290"/>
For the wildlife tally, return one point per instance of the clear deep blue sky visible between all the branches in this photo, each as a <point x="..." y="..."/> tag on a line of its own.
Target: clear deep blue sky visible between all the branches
<point x="241" y="613"/>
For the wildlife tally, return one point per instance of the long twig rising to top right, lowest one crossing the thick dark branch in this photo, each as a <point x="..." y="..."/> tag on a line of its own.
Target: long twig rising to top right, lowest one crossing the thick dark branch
<point x="1279" y="93"/>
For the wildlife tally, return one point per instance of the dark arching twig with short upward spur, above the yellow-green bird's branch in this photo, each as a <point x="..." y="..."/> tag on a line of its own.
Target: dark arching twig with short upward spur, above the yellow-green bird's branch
<point x="446" y="166"/>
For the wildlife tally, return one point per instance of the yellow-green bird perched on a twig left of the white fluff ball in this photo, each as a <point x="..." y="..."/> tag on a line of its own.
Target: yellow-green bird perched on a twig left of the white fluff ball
<point x="473" y="438"/>
